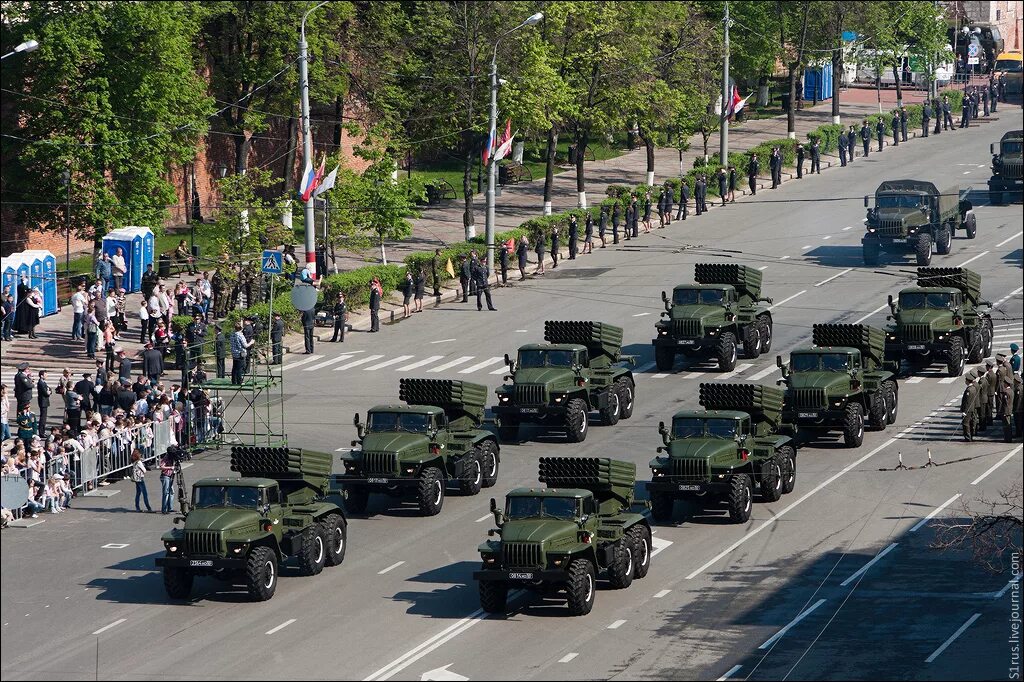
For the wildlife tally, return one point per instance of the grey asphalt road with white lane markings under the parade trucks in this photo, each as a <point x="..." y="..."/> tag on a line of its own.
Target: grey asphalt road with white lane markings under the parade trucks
<point x="786" y="596"/>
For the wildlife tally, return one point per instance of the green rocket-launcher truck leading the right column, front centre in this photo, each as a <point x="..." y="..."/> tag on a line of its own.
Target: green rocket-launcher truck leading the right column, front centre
<point x="561" y="538"/>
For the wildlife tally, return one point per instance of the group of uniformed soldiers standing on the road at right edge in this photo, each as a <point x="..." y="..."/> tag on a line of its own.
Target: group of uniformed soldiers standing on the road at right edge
<point x="994" y="393"/>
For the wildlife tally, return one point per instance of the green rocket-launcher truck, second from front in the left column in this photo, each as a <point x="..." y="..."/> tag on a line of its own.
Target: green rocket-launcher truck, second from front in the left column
<point x="421" y="448"/>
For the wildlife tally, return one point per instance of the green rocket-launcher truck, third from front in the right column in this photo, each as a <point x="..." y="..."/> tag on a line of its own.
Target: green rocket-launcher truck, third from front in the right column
<point x="842" y="382"/>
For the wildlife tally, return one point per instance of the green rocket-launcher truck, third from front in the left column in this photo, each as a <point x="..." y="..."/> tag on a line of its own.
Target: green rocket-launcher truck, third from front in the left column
<point x="562" y="382"/>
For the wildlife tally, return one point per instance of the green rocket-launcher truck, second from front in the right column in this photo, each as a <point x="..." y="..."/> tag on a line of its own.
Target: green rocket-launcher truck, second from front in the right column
<point x="720" y="454"/>
